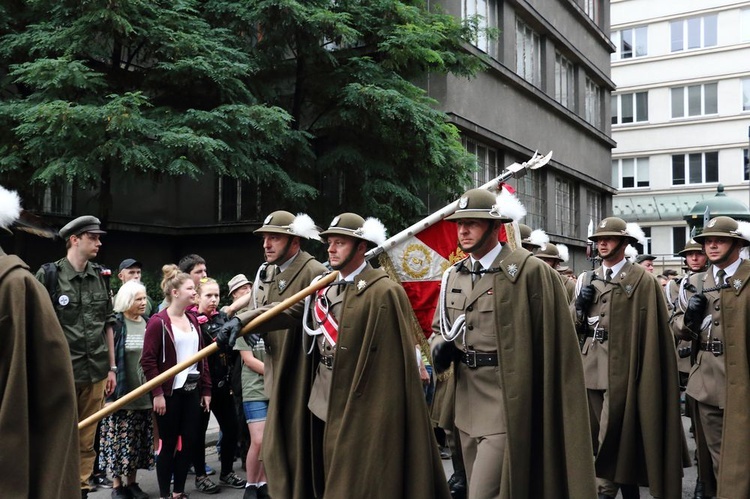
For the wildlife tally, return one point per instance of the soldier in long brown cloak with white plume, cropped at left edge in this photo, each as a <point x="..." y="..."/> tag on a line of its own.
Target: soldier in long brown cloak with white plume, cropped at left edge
<point x="39" y="450"/>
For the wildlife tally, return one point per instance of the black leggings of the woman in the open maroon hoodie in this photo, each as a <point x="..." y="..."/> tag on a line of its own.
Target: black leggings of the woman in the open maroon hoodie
<point x="181" y="419"/>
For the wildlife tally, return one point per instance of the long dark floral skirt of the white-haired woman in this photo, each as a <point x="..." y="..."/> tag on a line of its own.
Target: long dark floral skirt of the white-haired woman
<point x="126" y="442"/>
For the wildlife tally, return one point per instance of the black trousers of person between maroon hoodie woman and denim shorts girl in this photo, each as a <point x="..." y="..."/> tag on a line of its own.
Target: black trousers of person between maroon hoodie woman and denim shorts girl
<point x="222" y="405"/>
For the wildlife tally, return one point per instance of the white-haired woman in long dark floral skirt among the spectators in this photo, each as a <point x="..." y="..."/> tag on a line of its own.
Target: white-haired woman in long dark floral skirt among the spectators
<point x="127" y="435"/>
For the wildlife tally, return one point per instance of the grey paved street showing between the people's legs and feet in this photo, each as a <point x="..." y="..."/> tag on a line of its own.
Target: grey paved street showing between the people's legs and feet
<point x="147" y="479"/>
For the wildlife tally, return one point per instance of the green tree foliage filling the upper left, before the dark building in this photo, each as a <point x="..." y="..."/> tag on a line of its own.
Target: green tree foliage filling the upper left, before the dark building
<point x="303" y="96"/>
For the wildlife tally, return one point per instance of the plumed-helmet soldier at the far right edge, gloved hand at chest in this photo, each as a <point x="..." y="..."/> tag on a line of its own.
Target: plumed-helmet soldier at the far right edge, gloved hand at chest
<point x="713" y="313"/>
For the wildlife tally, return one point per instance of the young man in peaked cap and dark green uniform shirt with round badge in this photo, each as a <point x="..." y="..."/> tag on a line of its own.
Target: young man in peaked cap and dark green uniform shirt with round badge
<point x="80" y="295"/>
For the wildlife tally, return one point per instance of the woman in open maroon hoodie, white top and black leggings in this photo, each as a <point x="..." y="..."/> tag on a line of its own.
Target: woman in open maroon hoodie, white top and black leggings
<point x="172" y="336"/>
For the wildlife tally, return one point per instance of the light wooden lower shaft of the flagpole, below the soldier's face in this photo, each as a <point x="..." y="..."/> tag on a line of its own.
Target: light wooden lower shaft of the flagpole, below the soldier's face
<point x="205" y="352"/>
